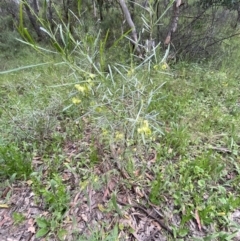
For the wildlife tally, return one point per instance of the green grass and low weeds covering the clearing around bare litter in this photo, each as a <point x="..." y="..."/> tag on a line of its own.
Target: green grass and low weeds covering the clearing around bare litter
<point x="190" y="123"/>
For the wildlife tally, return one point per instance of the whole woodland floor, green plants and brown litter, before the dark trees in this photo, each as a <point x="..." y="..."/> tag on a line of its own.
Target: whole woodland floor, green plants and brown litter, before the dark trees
<point x="128" y="149"/>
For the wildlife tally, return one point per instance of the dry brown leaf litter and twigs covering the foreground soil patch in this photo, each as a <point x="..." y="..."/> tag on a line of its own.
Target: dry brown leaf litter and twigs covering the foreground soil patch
<point x="110" y="205"/>
